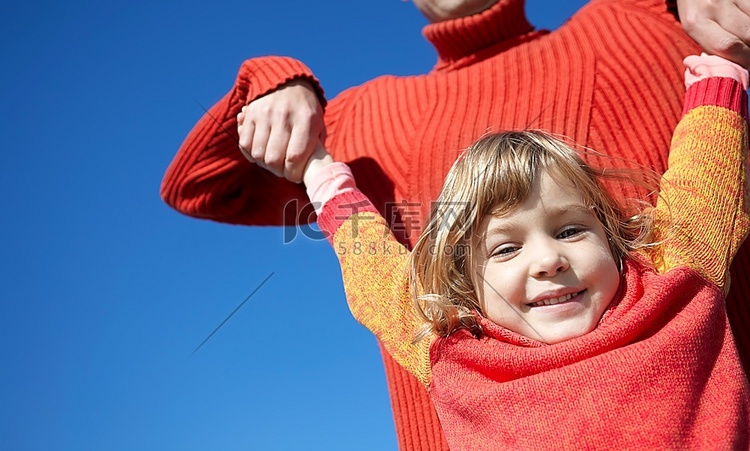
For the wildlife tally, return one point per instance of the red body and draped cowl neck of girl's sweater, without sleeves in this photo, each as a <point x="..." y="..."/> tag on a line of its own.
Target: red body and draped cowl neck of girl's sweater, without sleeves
<point x="661" y="371"/>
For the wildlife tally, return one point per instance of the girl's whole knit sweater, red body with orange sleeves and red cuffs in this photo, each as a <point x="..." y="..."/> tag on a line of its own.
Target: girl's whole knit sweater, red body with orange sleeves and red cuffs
<point x="660" y="371"/>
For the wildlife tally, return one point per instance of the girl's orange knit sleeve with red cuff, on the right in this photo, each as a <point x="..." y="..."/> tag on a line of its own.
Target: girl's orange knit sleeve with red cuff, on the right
<point x="703" y="206"/>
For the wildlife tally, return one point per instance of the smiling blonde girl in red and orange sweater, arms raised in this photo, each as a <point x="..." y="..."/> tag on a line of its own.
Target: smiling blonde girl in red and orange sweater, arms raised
<point x="547" y="318"/>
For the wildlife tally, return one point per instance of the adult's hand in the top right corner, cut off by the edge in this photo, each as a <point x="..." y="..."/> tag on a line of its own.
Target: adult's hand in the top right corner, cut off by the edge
<point x="721" y="27"/>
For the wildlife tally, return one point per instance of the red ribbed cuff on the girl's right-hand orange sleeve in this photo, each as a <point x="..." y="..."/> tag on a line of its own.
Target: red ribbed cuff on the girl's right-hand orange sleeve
<point x="716" y="91"/>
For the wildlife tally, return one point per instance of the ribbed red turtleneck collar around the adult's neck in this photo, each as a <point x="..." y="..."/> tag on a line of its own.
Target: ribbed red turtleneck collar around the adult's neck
<point x="459" y="39"/>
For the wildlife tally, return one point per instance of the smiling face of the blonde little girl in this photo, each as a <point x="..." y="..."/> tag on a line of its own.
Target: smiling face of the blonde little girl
<point x="545" y="269"/>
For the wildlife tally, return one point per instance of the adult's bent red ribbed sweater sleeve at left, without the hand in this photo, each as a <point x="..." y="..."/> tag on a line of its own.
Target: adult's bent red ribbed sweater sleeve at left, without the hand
<point x="209" y="177"/>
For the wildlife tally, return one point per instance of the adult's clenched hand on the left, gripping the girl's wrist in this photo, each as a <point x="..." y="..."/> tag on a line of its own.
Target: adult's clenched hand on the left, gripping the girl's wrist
<point x="279" y="131"/>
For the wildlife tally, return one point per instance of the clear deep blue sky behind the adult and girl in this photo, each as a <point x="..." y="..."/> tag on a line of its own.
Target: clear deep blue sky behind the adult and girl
<point x="106" y="291"/>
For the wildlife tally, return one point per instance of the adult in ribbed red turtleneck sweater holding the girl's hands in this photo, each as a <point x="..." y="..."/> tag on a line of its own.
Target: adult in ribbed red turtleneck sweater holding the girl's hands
<point x="610" y="78"/>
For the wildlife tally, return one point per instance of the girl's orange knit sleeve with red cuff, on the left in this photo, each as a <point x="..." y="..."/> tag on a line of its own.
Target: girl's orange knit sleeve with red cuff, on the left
<point x="375" y="270"/>
